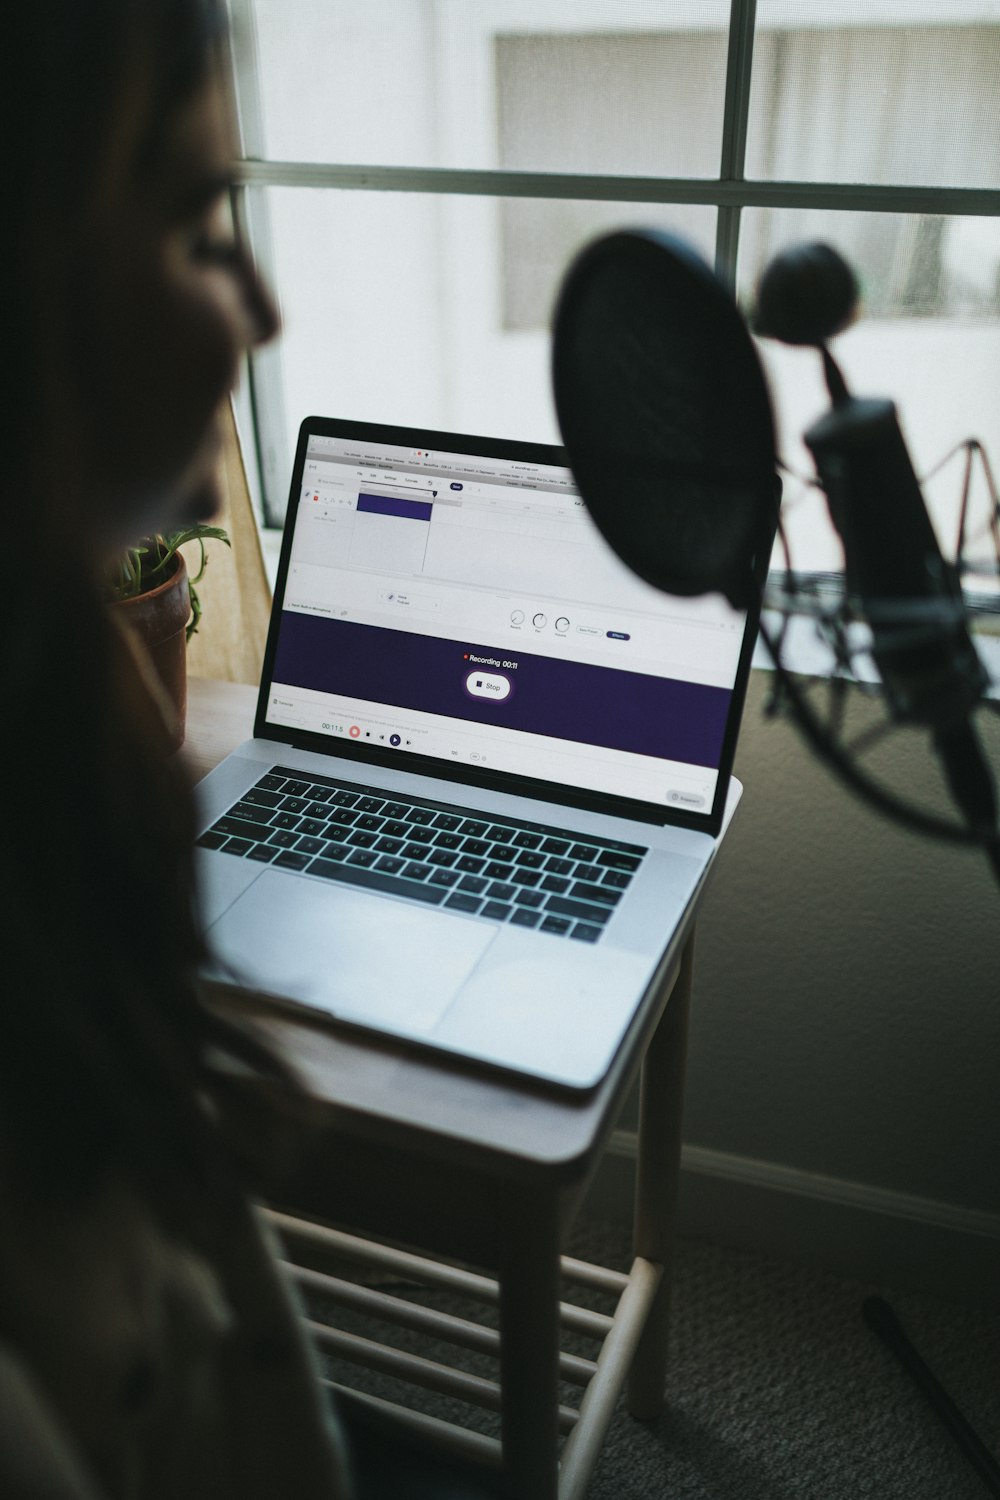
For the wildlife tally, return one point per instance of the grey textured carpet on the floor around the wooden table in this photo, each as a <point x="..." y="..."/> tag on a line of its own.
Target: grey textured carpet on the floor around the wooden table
<point x="777" y="1388"/>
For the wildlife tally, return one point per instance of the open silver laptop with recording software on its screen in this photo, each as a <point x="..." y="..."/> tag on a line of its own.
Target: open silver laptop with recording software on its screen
<point x="490" y="766"/>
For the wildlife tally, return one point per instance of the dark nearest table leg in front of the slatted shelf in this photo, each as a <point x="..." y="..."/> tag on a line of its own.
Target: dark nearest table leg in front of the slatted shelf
<point x="530" y="1351"/>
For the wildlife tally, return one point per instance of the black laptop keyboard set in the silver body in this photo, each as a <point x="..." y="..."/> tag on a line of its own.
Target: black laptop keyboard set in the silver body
<point x="499" y="869"/>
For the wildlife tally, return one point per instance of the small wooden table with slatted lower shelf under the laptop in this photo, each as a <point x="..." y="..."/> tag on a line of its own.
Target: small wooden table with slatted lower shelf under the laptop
<point x="475" y="1168"/>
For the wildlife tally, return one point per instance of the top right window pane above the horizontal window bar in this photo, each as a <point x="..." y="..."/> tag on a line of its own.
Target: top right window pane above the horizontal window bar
<point x="876" y="92"/>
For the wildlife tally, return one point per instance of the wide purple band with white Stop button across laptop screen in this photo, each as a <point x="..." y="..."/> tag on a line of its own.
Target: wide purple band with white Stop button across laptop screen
<point x="599" y="706"/>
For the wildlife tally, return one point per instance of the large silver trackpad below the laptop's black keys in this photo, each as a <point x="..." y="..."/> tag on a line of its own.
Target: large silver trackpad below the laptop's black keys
<point x="362" y="958"/>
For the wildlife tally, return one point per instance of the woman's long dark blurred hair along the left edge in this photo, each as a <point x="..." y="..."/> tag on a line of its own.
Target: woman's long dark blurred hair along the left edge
<point x="109" y="1058"/>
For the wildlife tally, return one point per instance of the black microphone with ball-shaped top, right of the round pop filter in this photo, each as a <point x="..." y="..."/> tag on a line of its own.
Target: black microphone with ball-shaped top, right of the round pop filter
<point x="896" y="575"/>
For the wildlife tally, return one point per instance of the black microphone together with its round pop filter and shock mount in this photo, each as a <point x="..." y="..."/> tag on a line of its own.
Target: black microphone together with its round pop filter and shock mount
<point x="668" y="427"/>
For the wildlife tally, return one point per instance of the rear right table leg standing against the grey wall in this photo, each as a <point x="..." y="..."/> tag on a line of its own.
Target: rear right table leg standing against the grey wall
<point x="657" y="1177"/>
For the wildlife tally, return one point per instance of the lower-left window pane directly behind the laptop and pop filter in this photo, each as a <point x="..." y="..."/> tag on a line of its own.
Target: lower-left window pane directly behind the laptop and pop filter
<point x="394" y="310"/>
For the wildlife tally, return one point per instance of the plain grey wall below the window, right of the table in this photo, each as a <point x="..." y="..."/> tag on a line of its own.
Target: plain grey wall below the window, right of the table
<point x="843" y="1076"/>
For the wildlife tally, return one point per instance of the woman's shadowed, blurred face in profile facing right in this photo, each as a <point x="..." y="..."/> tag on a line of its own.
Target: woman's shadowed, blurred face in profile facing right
<point x="167" y="305"/>
